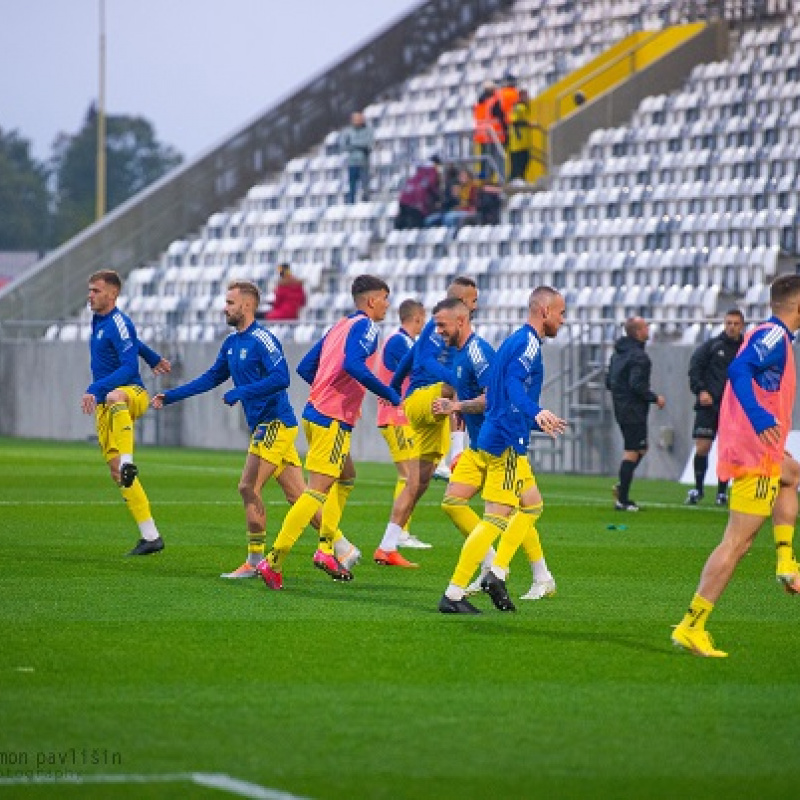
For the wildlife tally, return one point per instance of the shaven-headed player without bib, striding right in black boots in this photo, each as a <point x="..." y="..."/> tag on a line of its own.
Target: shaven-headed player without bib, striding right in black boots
<point x="512" y="499"/>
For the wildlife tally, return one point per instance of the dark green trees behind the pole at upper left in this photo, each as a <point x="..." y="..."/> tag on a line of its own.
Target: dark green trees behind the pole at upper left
<point x="44" y="203"/>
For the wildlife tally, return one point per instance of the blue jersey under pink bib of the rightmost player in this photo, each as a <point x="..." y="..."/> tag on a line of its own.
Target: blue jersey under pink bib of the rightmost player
<point x="762" y="360"/>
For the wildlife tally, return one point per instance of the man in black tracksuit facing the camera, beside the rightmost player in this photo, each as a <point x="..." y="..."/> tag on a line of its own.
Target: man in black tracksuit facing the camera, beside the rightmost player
<point x="708" y="374"/>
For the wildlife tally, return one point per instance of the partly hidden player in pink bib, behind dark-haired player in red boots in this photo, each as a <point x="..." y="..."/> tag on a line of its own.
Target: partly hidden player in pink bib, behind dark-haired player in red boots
<point x="392" y="421"/>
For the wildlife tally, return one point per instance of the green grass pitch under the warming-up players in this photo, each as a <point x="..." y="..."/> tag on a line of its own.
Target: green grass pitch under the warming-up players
<point x="157" y="666"/>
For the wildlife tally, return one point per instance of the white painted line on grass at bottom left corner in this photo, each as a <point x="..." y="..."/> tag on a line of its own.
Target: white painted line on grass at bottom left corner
<point x="224" y="783"/>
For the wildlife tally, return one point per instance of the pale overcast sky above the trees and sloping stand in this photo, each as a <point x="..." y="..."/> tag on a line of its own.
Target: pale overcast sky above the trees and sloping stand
<point x="197" y="69"/>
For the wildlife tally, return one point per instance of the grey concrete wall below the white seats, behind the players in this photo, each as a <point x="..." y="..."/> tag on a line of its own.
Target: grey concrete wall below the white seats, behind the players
<point x="41" y="384"/>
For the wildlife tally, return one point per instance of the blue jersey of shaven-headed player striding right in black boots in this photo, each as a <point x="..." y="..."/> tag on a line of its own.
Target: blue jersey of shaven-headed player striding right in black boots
<point x="512" y="396"/>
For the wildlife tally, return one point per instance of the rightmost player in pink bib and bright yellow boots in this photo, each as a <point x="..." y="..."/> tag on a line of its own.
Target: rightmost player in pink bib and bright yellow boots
<point x="754" y="422"/>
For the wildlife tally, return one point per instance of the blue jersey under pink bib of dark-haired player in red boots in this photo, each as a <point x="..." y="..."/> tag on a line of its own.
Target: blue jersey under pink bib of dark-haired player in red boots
<point x="362" y="342"/>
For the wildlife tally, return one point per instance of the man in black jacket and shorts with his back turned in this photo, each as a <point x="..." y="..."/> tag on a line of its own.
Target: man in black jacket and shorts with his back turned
<point x="629" y="381"/>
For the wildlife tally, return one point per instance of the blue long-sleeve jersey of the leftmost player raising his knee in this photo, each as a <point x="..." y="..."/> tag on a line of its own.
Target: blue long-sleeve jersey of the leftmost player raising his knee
<point x="114" y="350"/>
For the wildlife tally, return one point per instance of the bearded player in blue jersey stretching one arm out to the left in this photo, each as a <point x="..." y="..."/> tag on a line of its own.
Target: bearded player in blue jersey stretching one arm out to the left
<point x="253" y="358"/>
